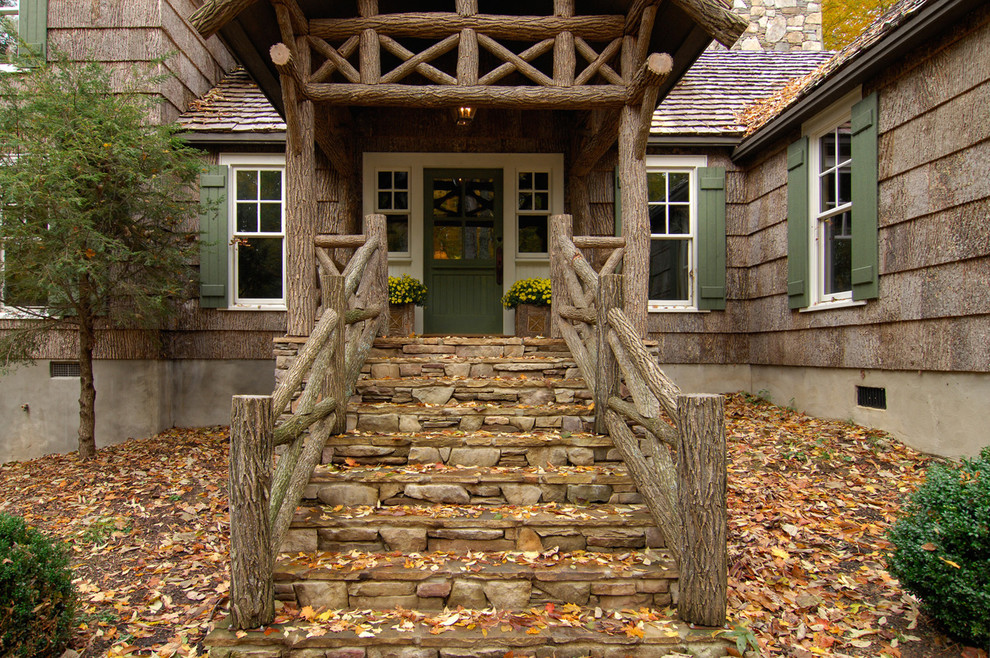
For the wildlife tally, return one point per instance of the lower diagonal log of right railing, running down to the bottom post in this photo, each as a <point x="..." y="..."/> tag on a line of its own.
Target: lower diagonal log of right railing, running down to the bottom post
<point x="657" y="484"/>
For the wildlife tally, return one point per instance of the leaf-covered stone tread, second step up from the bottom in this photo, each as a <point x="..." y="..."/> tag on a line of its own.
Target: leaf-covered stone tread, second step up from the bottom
<point x="625" y="570"/>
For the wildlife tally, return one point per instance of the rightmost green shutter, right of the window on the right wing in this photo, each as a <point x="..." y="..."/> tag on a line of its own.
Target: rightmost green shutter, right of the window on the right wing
<point x="864" y="194"/>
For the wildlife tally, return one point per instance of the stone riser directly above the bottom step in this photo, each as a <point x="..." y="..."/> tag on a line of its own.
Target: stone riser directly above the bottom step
<point x="436" y="592"/>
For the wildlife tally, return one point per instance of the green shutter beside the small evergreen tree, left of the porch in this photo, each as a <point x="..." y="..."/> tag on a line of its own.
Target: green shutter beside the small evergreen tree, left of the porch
<point x="213" y="237"/>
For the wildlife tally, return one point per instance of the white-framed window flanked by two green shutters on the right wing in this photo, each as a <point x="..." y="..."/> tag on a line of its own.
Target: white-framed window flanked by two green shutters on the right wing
<point x="831" y="214"/>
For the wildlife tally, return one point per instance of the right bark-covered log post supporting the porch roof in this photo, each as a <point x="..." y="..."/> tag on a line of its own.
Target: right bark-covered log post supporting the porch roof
<point x="635" y="214"/>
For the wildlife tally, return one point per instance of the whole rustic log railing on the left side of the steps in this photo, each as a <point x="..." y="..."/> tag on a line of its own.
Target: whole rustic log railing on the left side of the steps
<point x="324" y="374"/>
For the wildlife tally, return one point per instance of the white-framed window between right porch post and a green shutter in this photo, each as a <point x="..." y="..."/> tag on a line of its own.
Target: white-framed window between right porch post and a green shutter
<point x="672" y="237"/>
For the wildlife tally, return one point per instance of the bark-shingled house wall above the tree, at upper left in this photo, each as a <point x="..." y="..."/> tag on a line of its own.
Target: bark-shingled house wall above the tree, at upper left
<point x="124" y="34"/>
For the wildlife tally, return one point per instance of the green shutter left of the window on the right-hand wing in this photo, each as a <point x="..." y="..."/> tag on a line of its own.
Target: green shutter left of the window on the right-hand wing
<point x="797" y="224"/>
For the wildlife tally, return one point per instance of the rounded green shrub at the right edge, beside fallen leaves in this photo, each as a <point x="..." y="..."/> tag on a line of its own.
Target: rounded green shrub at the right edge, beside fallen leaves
<point x="941" y="548"/>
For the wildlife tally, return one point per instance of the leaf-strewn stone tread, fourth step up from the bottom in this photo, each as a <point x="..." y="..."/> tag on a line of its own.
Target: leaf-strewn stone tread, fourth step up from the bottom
<point x="432" y="474"/>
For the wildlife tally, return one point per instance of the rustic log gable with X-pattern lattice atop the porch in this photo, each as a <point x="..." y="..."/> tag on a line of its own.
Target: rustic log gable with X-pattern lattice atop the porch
<point x="444" y="54"/>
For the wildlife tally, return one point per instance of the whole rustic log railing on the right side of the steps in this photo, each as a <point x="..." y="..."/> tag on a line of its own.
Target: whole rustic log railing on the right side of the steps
<point x="687" y="500"/>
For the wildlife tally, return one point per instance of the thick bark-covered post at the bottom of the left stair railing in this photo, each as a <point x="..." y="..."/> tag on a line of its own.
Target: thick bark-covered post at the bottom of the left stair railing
<point x="252" y="591"/>
